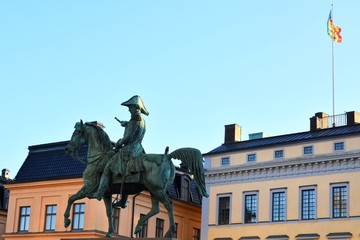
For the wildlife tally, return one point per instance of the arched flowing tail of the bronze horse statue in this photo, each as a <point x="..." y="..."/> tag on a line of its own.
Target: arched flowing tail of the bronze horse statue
<point x="193" y="159"/>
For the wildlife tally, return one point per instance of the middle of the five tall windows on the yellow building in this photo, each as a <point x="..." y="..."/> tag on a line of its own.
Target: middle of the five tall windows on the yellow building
<point x="278" y="210"/>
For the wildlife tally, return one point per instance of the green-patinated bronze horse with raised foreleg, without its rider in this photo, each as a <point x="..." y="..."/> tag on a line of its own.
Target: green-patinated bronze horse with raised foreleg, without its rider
<point x="157" y="176"/>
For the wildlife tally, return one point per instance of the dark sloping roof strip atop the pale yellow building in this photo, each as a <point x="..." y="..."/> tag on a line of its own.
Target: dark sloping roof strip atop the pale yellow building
<point x="335" y="132"/>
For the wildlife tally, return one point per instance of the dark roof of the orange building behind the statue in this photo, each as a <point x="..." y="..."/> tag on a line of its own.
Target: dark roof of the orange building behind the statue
<point x="49" y="162"/>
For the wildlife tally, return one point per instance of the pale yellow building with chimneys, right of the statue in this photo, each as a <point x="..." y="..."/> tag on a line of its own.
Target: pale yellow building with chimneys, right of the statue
<point x="295" y="186"/>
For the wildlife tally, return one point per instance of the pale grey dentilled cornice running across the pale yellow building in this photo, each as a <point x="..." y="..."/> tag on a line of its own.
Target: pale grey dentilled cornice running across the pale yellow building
<point x="284" y="169"/>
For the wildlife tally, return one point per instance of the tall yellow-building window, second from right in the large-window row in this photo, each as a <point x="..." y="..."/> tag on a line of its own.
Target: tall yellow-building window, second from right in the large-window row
<point x="308" y="203"/>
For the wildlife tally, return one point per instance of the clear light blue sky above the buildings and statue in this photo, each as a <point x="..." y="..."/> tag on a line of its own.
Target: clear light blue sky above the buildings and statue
<point x="198" y="65"/>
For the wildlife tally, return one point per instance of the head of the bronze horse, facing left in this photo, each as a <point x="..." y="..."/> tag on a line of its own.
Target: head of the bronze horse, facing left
<point x="78" y="139"/>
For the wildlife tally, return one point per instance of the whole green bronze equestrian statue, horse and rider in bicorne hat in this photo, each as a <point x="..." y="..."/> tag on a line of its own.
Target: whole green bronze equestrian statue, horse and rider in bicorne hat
<point x="126" y="168"/>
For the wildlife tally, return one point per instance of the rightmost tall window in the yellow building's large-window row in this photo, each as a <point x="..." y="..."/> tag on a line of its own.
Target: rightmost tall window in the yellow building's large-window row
<point x="339" y="195"/>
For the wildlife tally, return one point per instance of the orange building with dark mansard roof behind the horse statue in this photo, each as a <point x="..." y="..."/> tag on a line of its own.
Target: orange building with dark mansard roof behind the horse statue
<point x="40" y="191"/>
